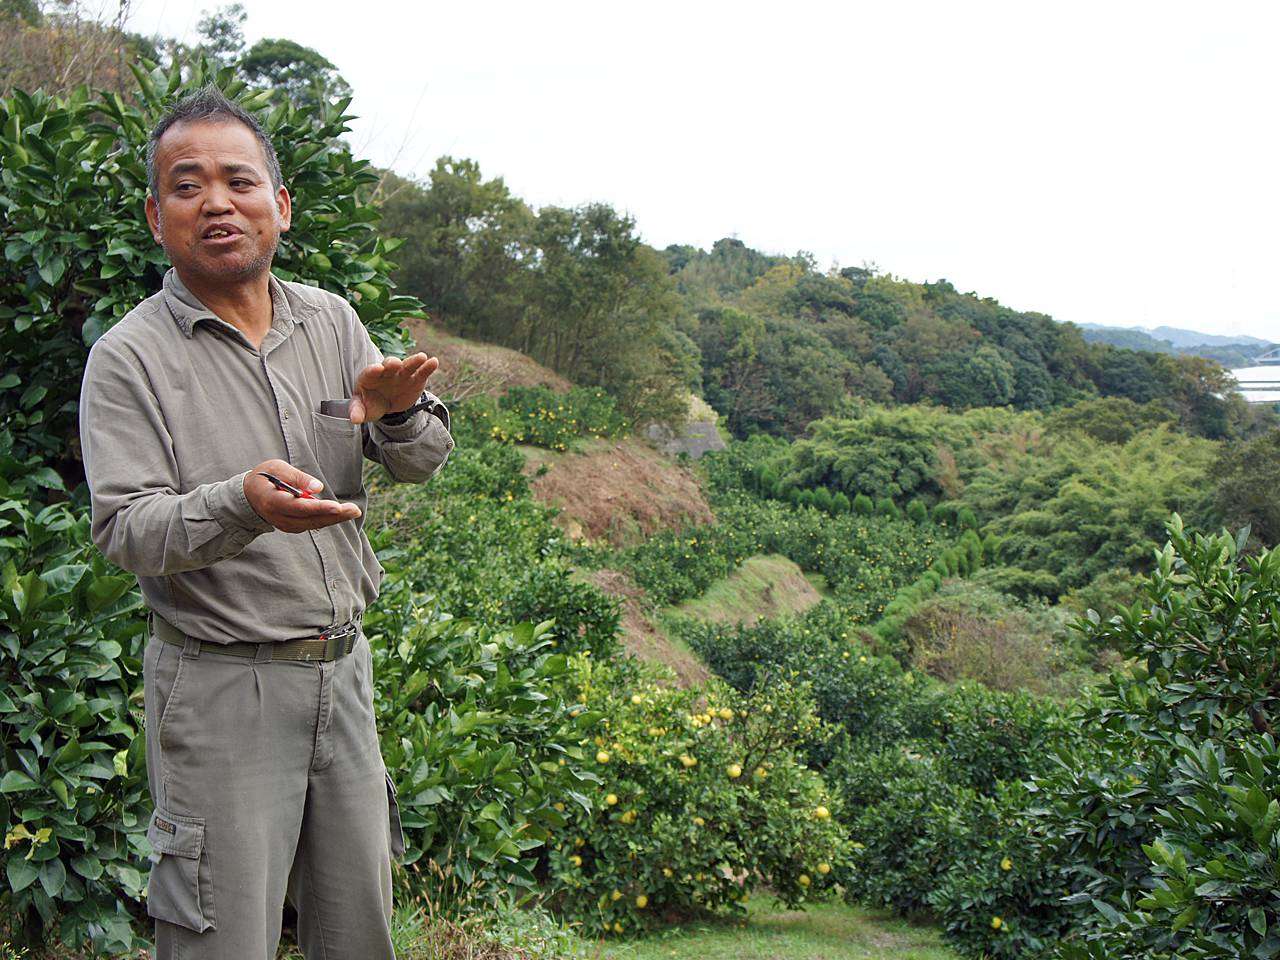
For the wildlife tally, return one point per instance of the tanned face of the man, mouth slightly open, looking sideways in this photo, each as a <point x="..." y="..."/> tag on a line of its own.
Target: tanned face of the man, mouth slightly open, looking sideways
<point x="217" y="216"/>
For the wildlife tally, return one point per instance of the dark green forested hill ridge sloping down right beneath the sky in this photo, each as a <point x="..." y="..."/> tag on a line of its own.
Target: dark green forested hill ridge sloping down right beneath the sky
<point x="772" y="342"/>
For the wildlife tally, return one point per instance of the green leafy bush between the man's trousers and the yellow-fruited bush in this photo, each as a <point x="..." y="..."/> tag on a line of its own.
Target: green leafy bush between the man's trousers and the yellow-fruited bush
<point x="473" y="729"/>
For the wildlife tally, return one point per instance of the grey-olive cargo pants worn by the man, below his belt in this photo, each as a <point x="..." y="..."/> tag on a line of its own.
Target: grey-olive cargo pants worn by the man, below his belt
<point x="268" y="784"/>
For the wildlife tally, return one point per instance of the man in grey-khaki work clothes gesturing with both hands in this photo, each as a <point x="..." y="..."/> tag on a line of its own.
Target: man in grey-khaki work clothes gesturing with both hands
<point x="263" y="756"/>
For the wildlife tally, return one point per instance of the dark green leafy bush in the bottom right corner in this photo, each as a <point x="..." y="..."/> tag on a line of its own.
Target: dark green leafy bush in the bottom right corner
<point x="1172" y="808"/>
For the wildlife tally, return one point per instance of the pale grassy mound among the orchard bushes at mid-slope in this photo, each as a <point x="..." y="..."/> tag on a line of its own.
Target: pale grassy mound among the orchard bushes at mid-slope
<point x="766" y="586"/>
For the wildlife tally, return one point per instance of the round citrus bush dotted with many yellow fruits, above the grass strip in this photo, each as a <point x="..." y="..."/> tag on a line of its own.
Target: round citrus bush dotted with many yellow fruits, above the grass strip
<point x="702" y="798"/>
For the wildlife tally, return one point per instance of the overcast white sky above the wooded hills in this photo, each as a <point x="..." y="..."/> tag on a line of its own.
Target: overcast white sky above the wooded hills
<point x="1100" y="162"/>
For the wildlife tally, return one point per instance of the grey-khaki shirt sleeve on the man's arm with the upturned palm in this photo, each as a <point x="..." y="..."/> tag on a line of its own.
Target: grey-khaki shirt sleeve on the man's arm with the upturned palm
<point x="139" y="518"/>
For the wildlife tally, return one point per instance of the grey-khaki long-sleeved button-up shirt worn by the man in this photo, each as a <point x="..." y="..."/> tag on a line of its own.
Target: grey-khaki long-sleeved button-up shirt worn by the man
<point x="177" y="408"/>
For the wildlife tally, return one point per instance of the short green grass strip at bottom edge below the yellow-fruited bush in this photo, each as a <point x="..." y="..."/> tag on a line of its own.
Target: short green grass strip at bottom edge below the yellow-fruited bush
<point x="822" y="932"/>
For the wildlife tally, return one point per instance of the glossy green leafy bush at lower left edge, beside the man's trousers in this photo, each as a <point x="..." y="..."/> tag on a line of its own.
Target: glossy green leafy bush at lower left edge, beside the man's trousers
<point x="74" y="798"/>
